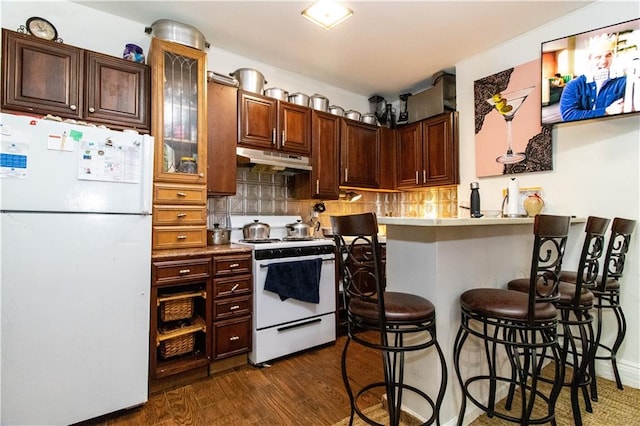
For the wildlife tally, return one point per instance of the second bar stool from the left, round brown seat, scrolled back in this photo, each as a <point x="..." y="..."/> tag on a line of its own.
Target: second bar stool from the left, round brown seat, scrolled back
<point x="524" y="324"/>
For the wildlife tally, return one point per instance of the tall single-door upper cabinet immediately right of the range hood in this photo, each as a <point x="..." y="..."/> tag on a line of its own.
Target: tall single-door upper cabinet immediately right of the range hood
<point x="323" y="182"/>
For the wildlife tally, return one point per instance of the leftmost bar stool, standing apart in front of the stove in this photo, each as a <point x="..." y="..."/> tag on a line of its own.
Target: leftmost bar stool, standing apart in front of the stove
<point x="391" y="322"/>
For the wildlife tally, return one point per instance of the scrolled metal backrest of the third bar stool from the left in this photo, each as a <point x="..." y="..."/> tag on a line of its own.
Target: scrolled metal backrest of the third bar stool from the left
<point x="592" y="251"/>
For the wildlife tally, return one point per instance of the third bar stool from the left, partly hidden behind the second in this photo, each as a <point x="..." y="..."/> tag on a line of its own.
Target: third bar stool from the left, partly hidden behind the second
<point x="574" y="305"/>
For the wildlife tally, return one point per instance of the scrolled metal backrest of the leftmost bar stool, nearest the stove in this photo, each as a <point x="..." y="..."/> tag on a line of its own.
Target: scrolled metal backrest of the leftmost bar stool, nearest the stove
<point x="359" y="258"/>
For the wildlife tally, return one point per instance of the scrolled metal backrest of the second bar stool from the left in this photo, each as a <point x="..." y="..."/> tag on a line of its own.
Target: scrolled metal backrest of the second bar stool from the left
<point x="550" y="240"/>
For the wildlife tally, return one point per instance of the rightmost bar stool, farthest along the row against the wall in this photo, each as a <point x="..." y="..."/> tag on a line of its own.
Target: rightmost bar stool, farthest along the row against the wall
<point x="607" y="294"/>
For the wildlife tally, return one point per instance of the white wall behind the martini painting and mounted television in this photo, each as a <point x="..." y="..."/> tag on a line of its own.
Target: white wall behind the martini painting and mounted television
<point x="595" y="163"/>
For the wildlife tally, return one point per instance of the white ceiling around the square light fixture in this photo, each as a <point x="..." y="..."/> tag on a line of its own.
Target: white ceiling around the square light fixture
<point x="385" y="48"/>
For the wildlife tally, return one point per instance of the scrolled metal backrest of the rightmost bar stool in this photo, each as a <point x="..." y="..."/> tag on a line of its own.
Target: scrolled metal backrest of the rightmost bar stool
<point x="619" y="239"/>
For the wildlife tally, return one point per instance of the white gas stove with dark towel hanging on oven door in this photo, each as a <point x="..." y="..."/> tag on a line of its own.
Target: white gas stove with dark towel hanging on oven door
<point x="284" y="323"/>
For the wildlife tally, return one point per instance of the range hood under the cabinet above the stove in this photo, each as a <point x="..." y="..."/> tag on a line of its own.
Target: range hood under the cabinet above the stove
<point x="272" y="161"/>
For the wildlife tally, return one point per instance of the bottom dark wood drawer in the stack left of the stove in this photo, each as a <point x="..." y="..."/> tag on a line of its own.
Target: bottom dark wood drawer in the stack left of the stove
<point x="231" y="337"/>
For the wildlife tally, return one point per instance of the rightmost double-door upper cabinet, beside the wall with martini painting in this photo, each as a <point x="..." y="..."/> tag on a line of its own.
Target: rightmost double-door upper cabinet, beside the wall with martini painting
<point x="427" y="152"/>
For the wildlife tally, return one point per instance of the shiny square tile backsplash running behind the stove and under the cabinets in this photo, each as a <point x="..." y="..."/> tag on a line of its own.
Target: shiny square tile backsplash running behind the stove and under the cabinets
<point x="269" y="194"/>
